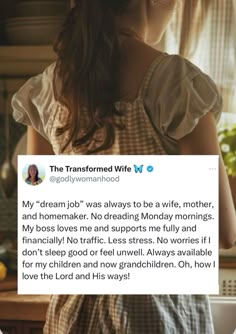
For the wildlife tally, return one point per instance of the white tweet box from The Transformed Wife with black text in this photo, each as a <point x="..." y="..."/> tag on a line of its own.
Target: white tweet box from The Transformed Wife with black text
<point x="118" y="224"/>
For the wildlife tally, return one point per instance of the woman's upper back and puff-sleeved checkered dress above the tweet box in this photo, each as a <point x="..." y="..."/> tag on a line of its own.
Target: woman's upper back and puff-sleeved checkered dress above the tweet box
<point x="162" y="98"/>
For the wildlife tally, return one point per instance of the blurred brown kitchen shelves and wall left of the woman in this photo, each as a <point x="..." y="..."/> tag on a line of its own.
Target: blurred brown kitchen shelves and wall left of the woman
<point x="27" y="30"/>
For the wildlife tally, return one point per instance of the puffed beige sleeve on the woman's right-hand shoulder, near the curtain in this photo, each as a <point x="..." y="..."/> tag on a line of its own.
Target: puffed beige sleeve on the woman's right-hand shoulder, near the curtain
<point x="179" y="95"/>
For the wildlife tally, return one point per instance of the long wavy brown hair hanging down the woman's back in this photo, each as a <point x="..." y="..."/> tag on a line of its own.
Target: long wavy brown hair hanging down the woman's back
<point x="89" y="55"/>
